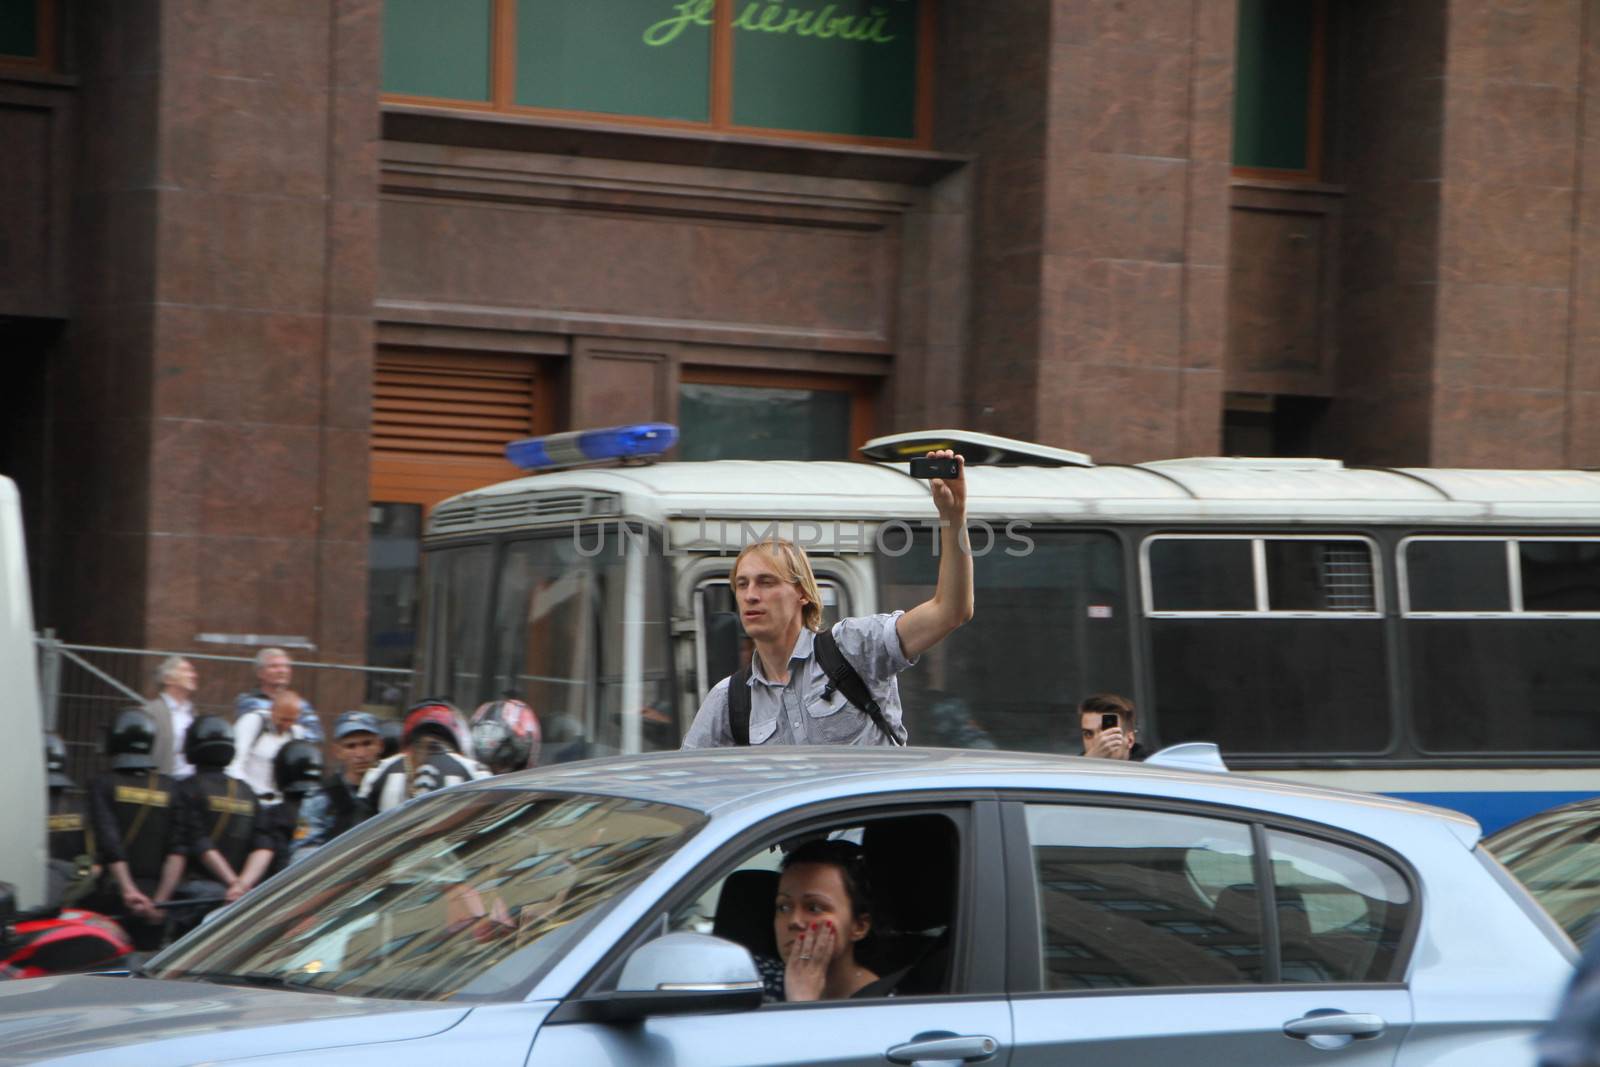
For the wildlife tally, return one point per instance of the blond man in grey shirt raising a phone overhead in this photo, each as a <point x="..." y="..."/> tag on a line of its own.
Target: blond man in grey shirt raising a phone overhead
<point x="807" y="685"/>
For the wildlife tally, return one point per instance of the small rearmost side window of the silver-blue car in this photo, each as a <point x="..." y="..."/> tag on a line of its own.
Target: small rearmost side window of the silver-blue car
<point x="1342" y="913"/>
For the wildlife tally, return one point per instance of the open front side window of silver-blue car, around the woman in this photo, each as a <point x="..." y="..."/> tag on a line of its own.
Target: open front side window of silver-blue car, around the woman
<point x="910" y="866"/>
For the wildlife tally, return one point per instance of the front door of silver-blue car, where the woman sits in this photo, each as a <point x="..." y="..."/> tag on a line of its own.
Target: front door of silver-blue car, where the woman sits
<point x="966" y="1020"/>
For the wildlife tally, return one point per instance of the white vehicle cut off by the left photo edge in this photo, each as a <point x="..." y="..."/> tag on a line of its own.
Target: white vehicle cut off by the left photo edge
<point x="23" y="841"/>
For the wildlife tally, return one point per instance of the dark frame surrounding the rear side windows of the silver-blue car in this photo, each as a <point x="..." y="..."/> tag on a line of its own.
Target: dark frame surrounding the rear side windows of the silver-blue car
<point x="1025" y="956"/>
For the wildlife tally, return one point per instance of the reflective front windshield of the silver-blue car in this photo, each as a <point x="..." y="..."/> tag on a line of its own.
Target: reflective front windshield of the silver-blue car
<point x="457" y="897"/>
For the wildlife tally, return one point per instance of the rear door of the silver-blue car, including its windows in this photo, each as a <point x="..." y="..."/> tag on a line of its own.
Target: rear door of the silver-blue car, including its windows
<point x="1142" y="938"/>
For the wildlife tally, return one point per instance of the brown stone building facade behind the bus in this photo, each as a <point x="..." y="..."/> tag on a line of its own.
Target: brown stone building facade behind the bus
<point x="255" y="289"/>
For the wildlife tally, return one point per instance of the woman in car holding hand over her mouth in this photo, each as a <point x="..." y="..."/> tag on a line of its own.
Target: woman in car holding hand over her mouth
<point x="822" y="916"/>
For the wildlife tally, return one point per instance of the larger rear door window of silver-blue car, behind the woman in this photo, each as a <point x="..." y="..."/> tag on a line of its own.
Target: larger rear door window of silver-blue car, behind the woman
<point x="1143" y="898"/>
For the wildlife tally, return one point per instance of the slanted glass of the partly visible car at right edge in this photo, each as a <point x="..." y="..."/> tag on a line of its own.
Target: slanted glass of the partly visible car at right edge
<point x="1558" y="858"/>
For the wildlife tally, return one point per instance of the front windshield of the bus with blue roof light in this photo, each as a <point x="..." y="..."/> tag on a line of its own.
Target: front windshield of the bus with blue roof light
<point x="545" y="617"/>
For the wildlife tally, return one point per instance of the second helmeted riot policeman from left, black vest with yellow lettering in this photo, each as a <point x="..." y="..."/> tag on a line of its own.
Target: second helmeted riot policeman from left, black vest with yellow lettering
<point x="140" y="831"/>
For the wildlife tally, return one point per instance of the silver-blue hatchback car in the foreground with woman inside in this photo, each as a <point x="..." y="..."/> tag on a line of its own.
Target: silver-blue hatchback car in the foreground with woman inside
<point x="1026" y="911"/>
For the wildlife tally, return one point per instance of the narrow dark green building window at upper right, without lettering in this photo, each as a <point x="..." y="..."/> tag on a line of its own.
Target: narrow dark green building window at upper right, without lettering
<point x="1279" y="89"/>
